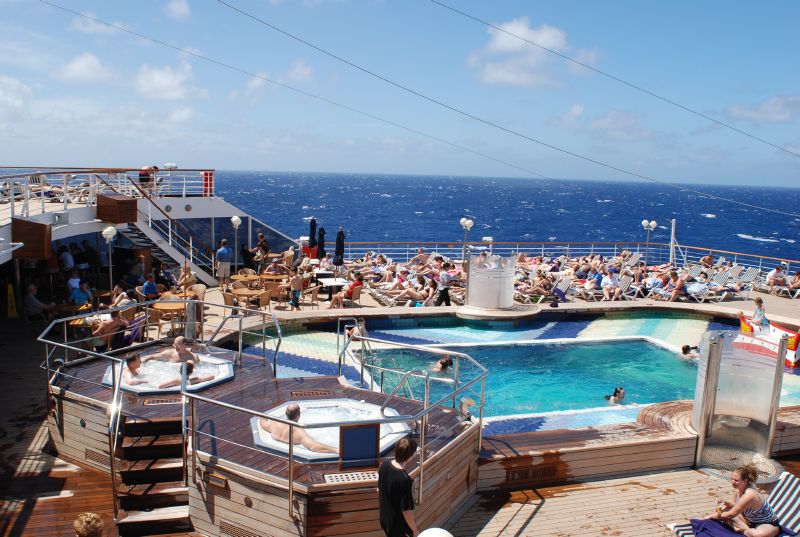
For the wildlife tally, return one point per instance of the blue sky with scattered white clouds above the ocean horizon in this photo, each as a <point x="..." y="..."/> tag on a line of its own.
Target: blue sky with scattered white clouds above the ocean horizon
<point x="73" y="92"/>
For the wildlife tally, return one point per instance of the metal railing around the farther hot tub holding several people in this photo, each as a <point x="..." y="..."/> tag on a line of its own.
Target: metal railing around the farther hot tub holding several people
<point x="77" y="350"/>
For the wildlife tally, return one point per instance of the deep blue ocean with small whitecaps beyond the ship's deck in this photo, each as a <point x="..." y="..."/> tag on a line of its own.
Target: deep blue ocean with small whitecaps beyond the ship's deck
<point x="428" y="208"/>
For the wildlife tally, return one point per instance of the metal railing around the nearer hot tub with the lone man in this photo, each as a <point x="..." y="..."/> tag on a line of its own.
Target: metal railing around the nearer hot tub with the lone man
<point x="420" y="418"/>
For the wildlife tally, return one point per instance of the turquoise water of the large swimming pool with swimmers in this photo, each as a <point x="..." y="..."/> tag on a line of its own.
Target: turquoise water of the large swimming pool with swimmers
<point x="525" y="379"/>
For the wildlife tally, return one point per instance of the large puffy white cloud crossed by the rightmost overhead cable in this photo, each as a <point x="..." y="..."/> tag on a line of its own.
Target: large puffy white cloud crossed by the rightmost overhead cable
<point x="508" y="60"/>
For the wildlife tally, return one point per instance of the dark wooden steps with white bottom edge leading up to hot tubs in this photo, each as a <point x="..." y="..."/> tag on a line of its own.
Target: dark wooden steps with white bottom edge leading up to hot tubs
<point x="151" y="494"/>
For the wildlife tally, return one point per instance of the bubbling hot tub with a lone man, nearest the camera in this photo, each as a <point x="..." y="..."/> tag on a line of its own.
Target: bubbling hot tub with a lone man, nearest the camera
<point x="328" y="410"/>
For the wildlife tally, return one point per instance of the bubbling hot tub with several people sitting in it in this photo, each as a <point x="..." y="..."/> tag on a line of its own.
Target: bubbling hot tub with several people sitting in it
<point x="157" y="372"/>
